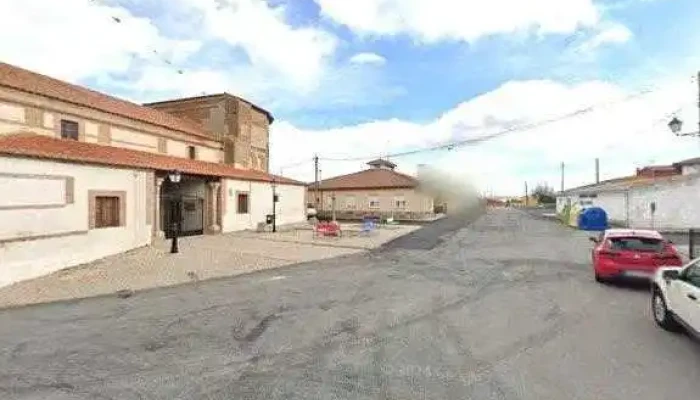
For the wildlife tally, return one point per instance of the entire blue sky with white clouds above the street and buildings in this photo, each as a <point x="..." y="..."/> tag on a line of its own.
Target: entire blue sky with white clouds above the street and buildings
<point x="371" y="77"/>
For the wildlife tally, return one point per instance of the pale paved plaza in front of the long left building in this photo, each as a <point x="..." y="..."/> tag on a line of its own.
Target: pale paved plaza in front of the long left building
<point x="200" y="258"/>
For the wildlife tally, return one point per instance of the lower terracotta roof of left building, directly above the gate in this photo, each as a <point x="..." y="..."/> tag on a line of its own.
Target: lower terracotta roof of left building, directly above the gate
<point x="28" y="144"/>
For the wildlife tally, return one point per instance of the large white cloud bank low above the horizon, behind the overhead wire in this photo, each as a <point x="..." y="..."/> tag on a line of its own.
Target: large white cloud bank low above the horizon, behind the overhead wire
<point x="624" y="131"/>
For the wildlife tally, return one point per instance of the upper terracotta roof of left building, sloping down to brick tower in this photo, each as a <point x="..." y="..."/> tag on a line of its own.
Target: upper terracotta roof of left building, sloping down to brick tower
<point x="27" y="81"/>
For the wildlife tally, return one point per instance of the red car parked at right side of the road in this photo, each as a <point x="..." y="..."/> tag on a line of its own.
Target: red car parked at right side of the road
<point x="628" y="253"/>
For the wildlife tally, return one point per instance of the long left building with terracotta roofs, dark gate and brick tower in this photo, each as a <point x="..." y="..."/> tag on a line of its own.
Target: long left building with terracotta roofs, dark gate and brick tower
<point x="84" y="175"/>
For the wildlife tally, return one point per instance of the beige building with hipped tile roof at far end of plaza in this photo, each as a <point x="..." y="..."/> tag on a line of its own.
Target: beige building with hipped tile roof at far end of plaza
<point x="378" y="191"/>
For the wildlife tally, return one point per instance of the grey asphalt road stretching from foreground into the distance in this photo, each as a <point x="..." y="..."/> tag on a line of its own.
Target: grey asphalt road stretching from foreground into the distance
<point x="504" y="308"/>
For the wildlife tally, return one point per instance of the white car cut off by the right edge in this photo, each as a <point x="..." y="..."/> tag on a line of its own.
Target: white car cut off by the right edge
<point x="675" y="300"/>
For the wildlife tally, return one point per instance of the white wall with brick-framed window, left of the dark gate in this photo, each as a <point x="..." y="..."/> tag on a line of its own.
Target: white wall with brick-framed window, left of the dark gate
<point x="20" y="260"/>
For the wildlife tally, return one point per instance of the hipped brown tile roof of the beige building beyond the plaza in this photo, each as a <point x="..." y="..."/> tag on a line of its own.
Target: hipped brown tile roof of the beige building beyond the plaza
<point x="369" y="179"/>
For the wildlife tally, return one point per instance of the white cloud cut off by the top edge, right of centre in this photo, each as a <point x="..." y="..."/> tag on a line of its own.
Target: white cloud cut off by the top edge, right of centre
<point x="466" y="20"/>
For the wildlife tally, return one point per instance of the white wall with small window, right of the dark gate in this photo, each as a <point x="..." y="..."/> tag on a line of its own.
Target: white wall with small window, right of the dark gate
<point x="290" y="208"/>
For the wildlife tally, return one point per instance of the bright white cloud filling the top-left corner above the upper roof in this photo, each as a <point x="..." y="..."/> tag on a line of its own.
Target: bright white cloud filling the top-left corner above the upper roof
<point x="76" y="39"/>
